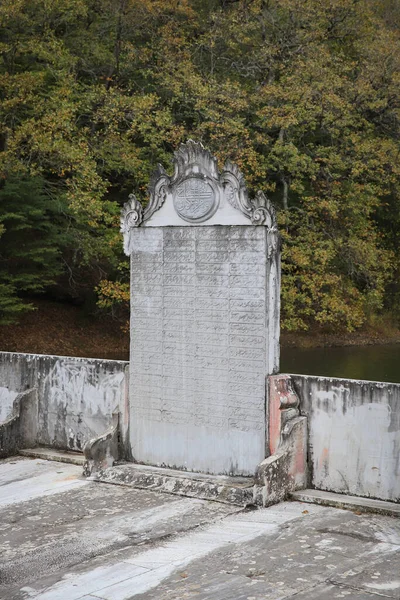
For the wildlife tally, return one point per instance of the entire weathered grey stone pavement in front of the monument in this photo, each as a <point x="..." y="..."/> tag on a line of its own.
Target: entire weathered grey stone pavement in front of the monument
<point x="66" y="538"/>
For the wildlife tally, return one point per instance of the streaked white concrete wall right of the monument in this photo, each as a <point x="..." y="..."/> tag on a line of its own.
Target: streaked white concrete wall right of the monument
<point x="354" y="435"/>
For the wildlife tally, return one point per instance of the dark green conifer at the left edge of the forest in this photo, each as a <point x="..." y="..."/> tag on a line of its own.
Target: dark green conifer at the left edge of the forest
<point x="32" y="237"/>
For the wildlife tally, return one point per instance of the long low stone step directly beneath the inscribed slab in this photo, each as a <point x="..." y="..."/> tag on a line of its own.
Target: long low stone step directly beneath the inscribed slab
<point x="240" y="491"/>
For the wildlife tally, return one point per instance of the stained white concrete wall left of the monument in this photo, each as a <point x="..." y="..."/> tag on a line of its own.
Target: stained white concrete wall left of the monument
<point x="77" y="396"/>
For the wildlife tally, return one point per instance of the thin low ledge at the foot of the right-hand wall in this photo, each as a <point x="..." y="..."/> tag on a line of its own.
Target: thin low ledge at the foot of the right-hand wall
<point x="347" y="502"/>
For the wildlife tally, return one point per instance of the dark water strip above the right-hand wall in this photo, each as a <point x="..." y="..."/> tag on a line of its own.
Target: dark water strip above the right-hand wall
<point x="376" y="363"/>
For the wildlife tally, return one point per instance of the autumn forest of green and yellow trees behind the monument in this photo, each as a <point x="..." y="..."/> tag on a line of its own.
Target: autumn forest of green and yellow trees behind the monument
<point x="304" y="95"/>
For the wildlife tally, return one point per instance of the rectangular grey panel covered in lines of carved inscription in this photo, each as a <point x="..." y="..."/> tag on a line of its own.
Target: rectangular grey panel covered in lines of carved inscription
<point x="198" y="347"/>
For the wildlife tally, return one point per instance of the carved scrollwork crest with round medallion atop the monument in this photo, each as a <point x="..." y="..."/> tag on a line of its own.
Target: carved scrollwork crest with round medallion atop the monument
<point x="197" y="189"/>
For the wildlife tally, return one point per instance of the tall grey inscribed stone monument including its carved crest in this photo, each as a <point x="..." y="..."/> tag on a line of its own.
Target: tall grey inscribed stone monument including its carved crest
<point x="205" y="280"/>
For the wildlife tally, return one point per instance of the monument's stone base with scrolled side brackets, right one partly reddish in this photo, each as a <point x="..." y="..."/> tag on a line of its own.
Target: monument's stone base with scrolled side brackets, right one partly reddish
<point x="283" y="472"/>
